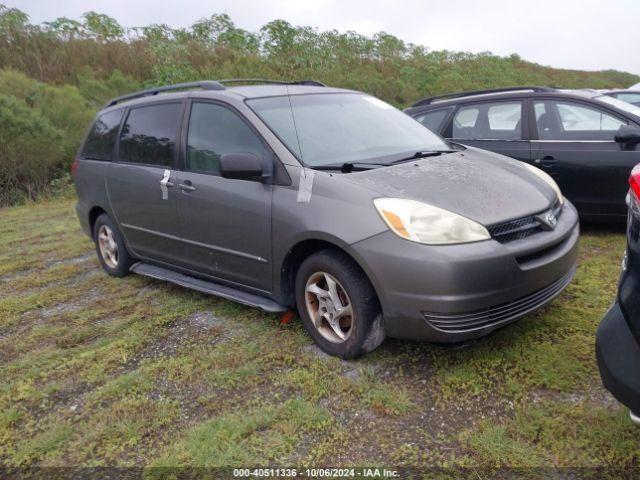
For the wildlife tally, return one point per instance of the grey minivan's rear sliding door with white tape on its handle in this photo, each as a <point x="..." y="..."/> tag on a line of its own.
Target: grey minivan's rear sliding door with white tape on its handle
<point x="141" y="181"/>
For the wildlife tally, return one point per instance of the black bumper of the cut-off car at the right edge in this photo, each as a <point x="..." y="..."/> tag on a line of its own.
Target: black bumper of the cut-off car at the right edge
<point x="618" y="356"/>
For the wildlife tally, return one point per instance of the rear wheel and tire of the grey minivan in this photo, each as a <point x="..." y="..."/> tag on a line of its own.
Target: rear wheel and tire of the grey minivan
<point x="115" y="258"/>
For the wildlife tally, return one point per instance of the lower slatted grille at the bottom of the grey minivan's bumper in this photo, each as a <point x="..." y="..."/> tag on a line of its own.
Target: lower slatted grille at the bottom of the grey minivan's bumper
<point x="504" y="313"/>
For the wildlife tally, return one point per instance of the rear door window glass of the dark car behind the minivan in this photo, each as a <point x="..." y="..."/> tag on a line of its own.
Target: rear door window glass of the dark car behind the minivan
<point x="489" y="121"/>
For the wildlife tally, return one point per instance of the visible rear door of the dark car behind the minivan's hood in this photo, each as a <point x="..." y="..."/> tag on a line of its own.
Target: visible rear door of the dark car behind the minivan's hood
<point x="496" y="126"/>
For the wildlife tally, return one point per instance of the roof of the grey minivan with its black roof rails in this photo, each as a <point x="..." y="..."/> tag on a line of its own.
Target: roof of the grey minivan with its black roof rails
<point x="242" y="92"/>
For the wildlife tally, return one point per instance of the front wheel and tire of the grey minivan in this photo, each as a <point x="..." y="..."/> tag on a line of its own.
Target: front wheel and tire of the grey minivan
<point x="346" y="336"/>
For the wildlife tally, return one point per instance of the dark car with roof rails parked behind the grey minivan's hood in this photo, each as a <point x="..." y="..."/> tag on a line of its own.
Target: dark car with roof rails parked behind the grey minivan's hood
<point x="587" y="141"/>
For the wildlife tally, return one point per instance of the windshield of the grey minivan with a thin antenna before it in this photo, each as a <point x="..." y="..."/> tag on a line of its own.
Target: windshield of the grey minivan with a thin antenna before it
<point x="330" y="129"/>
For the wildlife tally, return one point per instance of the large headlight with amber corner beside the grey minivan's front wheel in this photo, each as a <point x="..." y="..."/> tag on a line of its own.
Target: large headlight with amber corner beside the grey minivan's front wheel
<point x="422" y="223"/>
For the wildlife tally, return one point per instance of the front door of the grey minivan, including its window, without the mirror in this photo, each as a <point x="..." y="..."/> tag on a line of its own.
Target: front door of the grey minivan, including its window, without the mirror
<point x="225" y="223"/>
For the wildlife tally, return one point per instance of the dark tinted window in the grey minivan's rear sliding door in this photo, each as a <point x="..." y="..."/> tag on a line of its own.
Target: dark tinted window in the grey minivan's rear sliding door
<point x="149" y="134"/>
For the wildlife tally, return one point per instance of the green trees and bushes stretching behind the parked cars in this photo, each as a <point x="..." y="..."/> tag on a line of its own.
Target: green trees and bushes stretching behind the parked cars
<point x="75" y="65"/>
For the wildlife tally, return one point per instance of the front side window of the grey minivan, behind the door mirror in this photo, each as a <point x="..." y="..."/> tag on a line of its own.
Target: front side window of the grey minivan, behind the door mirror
<point x="215" y="131"/>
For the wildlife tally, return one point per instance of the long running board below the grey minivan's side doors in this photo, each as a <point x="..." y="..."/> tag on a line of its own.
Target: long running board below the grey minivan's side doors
<point x="206" y="286"/>
